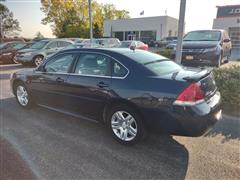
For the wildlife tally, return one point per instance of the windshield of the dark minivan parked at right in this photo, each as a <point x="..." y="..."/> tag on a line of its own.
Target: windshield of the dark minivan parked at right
<point x="203" y="36"/>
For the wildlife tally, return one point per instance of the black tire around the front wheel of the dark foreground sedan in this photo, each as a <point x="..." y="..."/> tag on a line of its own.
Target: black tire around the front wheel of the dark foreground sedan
<point x="30" y="103"/>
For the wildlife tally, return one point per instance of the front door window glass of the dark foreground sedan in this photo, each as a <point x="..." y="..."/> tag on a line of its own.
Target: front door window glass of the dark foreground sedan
<point x="60" y="64"/>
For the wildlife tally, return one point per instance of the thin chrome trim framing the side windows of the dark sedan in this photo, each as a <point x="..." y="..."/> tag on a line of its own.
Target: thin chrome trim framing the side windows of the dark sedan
<point x="86" y="75"/>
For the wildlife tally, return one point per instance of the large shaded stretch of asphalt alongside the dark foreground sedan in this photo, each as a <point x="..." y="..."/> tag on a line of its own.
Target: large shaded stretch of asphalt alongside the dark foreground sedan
<point x="65" y="147"/>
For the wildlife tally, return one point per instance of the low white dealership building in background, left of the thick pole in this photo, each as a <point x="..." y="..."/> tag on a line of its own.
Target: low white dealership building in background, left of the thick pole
<point x="144" y="29"/>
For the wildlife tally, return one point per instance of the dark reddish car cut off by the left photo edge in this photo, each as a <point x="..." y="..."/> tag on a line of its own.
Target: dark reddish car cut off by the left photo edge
<point x="8" y="51"/>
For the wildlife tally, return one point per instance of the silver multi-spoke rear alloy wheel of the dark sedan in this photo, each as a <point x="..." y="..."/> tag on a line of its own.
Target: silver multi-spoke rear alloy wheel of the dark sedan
<point x="124" y="125"/>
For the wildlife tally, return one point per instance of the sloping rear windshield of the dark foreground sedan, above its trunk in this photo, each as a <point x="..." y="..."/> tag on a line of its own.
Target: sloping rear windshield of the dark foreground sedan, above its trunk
<point x="162" y="67"/>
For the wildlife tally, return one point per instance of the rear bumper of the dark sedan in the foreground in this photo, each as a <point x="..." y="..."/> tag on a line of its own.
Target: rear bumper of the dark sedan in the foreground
<point x="185" y="120"/>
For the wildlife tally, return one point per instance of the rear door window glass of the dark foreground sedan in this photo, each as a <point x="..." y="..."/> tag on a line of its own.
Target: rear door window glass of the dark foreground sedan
<point x="93" y="65"/>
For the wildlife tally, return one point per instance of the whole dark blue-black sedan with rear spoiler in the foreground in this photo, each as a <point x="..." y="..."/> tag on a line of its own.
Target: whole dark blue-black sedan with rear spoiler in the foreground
<point x="131" y="91"/>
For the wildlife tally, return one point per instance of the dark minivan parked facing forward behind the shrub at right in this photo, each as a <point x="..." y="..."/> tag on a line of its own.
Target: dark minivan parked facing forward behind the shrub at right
<point x="206" y="48"/>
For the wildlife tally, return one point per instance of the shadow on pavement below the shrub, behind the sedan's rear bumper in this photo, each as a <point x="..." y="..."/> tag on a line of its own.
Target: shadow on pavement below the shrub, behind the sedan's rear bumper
<point x="229" y="127"/>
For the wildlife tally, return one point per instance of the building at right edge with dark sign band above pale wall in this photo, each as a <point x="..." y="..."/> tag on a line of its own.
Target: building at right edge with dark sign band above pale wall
<point x="228" y="18"/>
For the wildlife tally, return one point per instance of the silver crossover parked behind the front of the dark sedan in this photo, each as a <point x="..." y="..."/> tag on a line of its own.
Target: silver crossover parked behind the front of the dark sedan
<point x="39" y="50"/>
